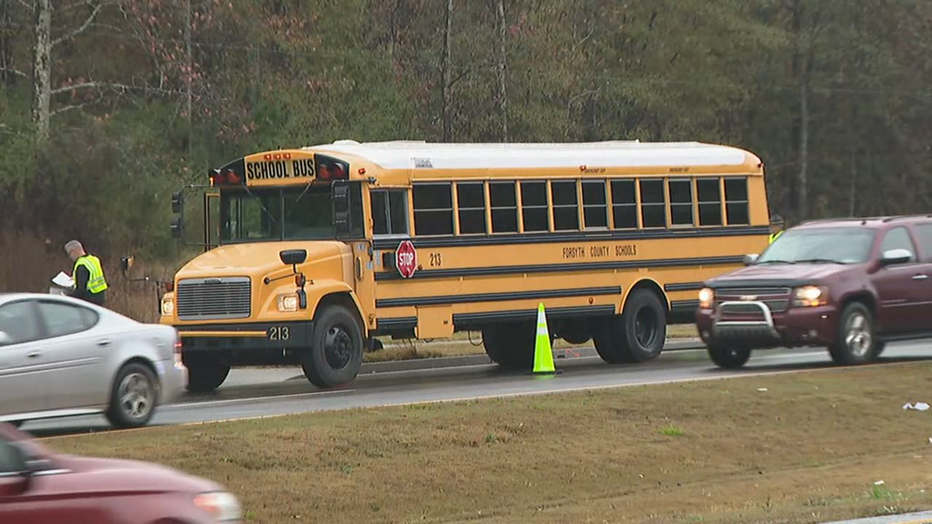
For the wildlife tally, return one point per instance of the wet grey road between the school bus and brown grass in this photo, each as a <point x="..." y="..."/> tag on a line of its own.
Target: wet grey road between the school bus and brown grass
<point x="269" y="392"/>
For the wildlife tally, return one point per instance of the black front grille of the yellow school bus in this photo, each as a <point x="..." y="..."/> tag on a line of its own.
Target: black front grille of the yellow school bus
<point x="213" y="298"/>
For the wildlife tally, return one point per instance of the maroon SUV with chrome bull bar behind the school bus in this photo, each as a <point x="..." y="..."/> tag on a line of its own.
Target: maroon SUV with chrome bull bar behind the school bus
<point x="851" y="285"/>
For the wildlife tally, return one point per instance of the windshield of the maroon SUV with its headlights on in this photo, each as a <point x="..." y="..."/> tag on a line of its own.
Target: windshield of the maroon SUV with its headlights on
<point x="830" y="245"/>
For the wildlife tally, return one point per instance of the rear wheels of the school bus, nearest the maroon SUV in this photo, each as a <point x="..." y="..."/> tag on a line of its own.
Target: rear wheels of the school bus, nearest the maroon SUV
<point x="638" y="334"/>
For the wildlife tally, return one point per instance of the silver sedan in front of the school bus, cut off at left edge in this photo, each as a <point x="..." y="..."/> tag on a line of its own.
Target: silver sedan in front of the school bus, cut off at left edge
<point x="61" y="356"/>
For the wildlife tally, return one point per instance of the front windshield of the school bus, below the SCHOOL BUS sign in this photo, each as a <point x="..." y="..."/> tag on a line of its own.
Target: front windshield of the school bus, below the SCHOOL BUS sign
<point x="276" y="214"/>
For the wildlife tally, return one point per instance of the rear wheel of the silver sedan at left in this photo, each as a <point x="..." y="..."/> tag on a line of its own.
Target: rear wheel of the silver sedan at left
<point x="133" y="397"/>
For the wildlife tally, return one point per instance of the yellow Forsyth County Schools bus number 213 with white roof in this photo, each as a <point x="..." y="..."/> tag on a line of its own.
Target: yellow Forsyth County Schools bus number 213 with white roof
<point x="323" y="248"/>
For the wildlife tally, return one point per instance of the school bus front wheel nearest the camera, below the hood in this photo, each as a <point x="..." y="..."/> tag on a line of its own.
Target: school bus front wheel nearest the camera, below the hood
<point x="335" y="355"/>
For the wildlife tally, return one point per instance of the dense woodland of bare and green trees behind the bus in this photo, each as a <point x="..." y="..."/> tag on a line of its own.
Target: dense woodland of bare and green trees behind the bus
<point x="109" y="105"/>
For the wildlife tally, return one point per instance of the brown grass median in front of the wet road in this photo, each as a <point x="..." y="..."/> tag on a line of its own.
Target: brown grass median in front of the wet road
<point x="806" y="450"/>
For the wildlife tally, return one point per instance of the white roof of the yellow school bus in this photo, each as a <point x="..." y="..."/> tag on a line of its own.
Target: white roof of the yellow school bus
<point x="413" y="154"/>
